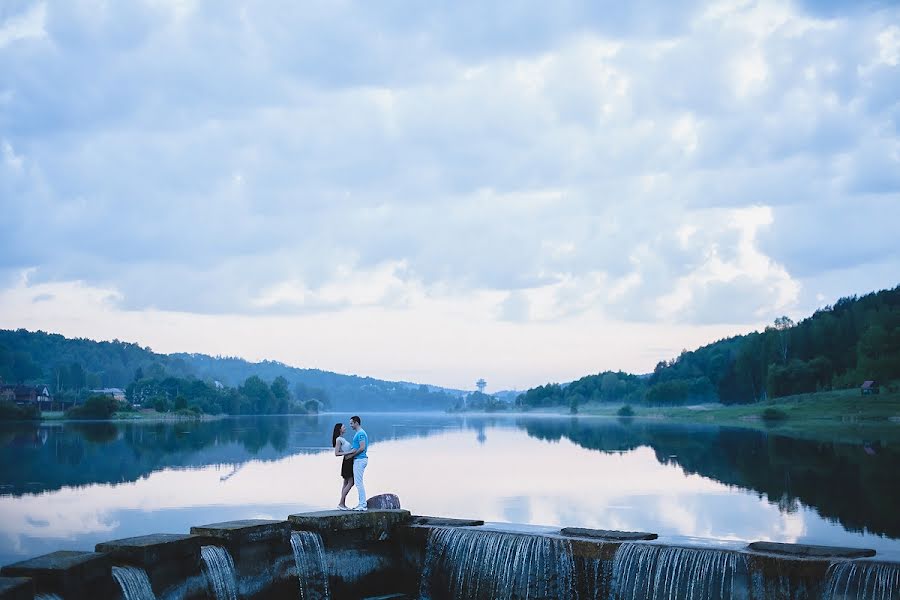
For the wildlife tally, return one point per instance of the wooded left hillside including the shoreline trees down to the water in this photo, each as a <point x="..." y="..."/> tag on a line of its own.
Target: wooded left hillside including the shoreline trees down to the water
<point x="70" y="368"/>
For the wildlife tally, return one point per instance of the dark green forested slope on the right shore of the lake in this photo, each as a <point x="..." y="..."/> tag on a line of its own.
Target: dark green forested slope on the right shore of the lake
<point x="838" y="347"/>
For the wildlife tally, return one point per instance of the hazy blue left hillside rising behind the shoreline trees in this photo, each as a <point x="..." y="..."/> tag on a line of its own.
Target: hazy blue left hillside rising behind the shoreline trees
<point x="74" y="364"/>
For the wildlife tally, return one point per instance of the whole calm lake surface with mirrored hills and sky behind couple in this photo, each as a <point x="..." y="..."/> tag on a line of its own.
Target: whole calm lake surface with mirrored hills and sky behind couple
<point x="69" y="486"/>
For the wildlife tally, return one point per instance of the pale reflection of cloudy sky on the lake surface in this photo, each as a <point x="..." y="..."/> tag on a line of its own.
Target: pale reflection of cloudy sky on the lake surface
<point x="510" y="477"/>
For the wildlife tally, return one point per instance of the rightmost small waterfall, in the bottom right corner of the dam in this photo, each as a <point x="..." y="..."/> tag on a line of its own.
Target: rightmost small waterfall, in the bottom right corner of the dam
<point x="852" y="580"/>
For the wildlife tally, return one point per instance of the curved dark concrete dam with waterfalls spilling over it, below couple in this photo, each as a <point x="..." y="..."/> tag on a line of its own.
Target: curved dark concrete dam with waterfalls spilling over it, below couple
<point x="387" y="553"/>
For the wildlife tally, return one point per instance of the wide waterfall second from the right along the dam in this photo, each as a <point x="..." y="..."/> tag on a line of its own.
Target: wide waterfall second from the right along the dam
<point x="652" y="572"/>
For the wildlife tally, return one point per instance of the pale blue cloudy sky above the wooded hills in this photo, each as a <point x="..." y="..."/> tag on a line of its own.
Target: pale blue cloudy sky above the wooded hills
<point x="438" y="192"/>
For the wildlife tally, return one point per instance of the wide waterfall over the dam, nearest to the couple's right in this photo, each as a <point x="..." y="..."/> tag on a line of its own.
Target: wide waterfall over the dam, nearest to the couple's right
<point x="477" y="564"/>
